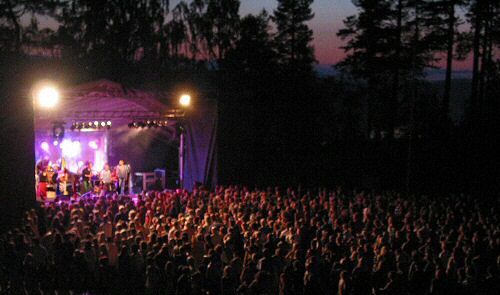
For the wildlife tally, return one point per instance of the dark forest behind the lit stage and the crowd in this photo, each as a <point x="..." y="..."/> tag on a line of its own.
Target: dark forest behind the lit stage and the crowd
<point x="378" y="123"/>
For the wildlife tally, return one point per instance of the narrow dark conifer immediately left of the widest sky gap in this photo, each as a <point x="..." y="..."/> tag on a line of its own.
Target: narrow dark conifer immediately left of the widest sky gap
<point x="294" y="37"/>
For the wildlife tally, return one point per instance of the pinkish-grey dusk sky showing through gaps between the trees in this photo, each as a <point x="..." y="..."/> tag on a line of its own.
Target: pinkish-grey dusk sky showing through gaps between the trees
<point x="328" y="19"/>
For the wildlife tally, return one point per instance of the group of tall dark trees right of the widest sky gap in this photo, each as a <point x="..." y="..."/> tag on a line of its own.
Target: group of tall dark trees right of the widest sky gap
<point x="391" y="42"/>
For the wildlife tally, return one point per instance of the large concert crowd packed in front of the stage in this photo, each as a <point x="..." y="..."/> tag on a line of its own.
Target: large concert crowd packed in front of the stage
<point x="232" y="240"/>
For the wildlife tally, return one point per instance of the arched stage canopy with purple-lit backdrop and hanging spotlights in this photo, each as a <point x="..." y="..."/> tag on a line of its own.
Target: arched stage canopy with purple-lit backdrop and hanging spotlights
<point x="114" y="108"/>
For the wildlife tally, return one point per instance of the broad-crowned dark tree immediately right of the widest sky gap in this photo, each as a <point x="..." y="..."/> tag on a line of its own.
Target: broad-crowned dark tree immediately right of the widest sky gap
<point x="389" y="44"/>
